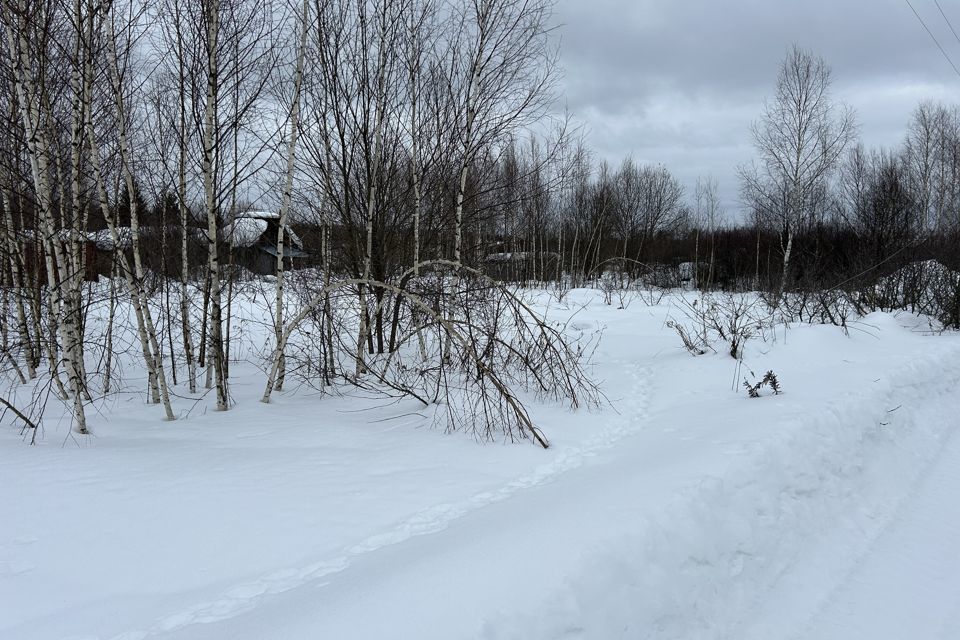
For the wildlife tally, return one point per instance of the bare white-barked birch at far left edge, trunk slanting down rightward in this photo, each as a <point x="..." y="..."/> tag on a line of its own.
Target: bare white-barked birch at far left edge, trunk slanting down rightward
<point x="32" y="33"/>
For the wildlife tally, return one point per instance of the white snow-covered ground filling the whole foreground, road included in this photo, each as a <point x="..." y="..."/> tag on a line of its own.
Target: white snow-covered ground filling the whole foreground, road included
<point x="683" y="509"/>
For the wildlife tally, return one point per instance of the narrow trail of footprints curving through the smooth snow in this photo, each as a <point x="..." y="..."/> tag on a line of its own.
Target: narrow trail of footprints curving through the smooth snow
<point x="245" y="596"/>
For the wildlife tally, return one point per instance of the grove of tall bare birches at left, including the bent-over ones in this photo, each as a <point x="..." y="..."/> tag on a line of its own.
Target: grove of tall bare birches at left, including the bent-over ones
<point x="381" y="124"/>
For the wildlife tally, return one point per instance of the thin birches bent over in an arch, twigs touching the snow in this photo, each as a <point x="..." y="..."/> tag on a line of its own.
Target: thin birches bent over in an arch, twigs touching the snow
<point x="461" y="341"/>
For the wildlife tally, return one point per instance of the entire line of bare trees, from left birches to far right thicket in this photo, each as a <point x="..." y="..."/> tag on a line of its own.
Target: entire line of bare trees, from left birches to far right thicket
<point x="414" y="146"/>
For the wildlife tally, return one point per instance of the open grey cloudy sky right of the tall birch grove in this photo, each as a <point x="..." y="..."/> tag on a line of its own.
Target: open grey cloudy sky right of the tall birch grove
<point x="678" y="82"/>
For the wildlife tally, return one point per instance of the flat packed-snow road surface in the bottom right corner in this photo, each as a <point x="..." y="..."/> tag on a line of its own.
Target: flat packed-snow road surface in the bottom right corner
<point x="896" y="575"/>
